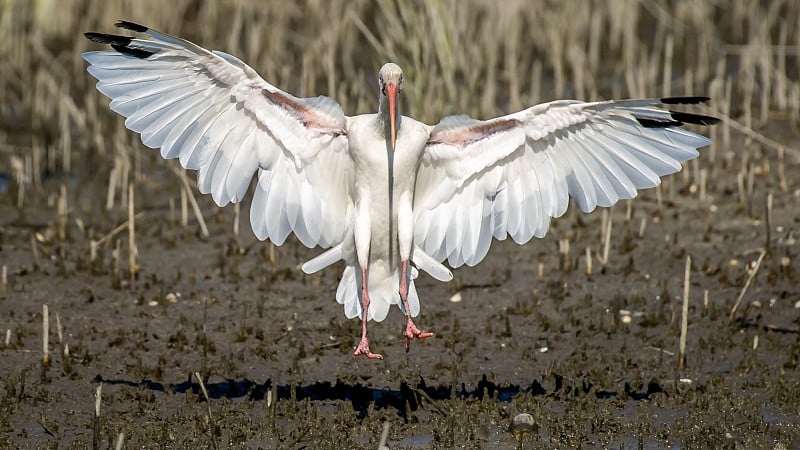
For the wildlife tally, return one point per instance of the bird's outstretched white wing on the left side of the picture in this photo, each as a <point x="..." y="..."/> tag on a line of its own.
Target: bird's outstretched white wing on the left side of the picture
<point x="218" y="116"/>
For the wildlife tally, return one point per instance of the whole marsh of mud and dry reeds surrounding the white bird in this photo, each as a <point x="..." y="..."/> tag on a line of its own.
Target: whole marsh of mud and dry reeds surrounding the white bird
<point x="72" y="179"/>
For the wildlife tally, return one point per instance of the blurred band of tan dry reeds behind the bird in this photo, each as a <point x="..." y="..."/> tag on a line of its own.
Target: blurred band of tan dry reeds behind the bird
<point x="472" y="57"/>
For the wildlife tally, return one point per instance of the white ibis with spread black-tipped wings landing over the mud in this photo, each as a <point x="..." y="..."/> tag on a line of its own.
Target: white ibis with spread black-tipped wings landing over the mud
<point x="382" y="192"/>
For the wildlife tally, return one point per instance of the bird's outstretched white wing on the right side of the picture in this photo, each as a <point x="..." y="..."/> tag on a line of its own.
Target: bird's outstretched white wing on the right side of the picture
<point x="508" y="176"/>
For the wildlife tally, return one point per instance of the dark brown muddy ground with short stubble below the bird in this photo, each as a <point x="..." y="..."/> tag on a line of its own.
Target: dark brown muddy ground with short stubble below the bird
<point x="593" y="358"/>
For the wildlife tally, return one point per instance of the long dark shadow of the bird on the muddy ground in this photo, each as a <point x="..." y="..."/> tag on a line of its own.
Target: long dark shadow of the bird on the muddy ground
<point x="408" y="398"/>
